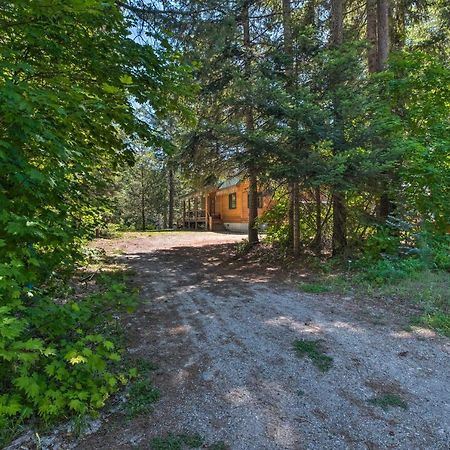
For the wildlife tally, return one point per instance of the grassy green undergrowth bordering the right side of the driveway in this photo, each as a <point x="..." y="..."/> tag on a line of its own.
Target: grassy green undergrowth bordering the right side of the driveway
<point x="409" y="280"/>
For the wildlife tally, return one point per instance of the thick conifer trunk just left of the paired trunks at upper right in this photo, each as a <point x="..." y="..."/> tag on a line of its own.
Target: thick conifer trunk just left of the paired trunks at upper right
<point x="339" y="240"/>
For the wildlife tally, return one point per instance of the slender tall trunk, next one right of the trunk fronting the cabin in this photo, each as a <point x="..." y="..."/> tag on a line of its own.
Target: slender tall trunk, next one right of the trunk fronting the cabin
<point x="294" y="204"/>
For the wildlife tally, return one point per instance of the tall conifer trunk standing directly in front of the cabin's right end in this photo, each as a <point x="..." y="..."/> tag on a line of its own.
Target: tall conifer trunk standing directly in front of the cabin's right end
<point x="250" y="126"/>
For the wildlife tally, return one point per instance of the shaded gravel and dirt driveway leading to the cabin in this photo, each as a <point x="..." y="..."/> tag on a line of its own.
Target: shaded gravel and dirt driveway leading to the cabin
<point x="222" y="336"/>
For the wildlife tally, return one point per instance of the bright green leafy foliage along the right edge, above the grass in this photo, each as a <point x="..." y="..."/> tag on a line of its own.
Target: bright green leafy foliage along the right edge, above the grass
<point x="421" y="82"/>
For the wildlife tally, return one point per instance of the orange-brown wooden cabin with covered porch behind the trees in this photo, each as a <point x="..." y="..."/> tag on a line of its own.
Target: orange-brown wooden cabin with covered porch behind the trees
<point x="224" y="208"/>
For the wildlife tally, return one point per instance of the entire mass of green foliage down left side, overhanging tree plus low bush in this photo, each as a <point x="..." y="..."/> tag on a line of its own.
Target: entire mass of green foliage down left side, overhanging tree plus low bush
<point x="71" y="77"/>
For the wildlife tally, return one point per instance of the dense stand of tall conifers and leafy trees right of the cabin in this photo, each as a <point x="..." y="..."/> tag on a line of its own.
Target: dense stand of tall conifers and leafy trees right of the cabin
<point x="324" y="97"/>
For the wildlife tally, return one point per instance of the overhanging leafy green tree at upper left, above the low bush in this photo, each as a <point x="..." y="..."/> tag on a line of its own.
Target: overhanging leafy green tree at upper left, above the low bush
<point x="69" y="72"/>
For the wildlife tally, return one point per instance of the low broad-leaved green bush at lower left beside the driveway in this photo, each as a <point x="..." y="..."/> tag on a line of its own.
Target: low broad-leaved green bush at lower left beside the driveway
<point x="58" y="359"/>
